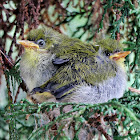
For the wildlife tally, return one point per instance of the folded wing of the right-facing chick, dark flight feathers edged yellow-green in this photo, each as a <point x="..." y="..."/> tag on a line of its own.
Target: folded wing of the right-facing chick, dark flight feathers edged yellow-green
<point x="62" y="82"/>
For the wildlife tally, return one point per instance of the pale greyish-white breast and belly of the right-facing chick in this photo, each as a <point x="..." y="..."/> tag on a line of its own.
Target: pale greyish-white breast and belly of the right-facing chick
<point x="113" y="87"/>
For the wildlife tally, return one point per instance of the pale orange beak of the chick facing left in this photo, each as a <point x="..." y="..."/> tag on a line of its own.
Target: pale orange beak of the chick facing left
<point x="28" y="44"/>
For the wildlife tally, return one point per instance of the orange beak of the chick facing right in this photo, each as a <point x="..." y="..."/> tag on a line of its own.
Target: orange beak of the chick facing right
<point x="119" y="55"/>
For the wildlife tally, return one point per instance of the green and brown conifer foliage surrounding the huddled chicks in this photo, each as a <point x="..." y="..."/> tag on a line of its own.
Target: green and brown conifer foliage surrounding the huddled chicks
<point x="116" y="119"/>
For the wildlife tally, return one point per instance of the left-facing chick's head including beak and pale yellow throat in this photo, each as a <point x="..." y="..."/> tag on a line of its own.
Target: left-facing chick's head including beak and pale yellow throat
<point x="38" y="44"/>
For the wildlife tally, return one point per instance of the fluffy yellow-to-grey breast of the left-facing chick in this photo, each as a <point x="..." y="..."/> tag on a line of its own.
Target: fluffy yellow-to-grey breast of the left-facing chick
<point x="36" y="71"/>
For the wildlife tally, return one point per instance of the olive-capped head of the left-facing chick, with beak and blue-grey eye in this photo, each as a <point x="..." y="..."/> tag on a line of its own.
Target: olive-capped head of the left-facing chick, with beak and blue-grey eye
<point x="41" y="39"/>
